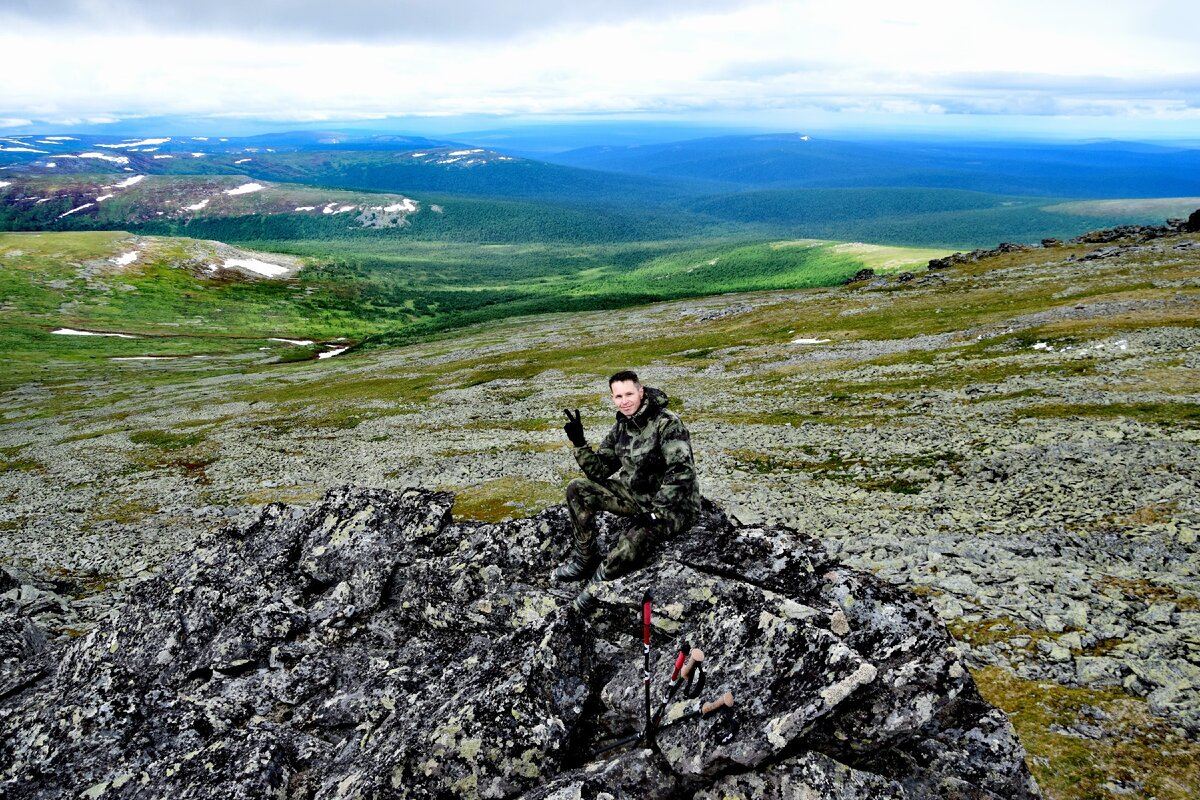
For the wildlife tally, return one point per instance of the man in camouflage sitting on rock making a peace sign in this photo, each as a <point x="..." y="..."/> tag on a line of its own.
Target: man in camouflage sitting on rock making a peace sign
<point x="656" y="485"/>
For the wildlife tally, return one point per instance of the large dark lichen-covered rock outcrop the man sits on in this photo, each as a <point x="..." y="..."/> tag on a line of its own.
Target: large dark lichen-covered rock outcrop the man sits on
<point x="370" y="647"/>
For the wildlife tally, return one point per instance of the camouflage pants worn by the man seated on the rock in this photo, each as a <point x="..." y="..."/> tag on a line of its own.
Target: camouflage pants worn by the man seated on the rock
<point x="584" y="500"/>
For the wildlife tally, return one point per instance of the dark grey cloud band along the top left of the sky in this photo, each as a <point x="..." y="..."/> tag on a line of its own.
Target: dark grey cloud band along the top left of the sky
<point x="353" y="20"/>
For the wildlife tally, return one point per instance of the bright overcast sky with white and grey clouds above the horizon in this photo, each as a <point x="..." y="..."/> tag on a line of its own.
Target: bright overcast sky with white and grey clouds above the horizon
<point x="1065" y="65"/>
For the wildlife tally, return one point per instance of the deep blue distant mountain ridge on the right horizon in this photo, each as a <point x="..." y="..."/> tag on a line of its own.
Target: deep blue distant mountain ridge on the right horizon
<point x="796" y="161"/>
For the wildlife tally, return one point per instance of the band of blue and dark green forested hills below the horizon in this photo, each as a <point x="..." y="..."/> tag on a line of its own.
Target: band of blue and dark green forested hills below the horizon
<point x="940" y="194"/>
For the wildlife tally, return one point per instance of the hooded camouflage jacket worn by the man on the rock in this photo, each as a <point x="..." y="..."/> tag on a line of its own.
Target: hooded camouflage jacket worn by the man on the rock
<point x="653" y="453"/>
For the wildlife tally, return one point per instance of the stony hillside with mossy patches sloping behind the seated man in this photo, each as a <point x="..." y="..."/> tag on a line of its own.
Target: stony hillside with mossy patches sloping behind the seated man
<point x="1012" y="436"/>
